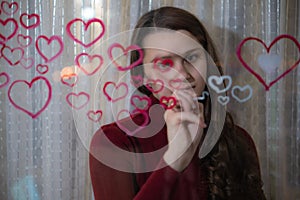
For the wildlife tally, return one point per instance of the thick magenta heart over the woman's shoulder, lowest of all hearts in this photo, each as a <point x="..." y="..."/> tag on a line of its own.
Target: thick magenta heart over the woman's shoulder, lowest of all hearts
<point x="129" y="126"/>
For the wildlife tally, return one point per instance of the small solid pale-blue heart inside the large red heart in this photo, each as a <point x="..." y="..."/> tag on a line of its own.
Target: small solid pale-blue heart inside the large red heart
<point x="269" y="62"/>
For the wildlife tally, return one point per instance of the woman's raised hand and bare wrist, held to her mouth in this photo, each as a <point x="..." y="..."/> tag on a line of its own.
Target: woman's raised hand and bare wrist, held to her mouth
<point x="185" y="123"/>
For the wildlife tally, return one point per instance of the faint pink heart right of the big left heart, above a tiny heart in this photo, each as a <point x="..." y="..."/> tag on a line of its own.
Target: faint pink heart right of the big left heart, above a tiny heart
<point x="83" y="97"/>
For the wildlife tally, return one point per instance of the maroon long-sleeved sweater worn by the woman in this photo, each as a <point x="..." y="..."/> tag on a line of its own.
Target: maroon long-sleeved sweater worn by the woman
<point x="164" y="183"/>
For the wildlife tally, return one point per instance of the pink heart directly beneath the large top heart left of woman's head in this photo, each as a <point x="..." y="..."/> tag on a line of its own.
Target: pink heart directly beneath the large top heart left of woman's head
<point x="90" y="68"/>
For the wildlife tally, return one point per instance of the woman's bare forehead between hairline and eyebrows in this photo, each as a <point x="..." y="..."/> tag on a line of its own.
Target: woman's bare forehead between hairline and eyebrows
<point x="176" y="42"/>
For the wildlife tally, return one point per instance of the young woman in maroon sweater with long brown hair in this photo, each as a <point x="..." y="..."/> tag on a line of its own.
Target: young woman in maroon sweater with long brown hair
<point x="176" y="49"/>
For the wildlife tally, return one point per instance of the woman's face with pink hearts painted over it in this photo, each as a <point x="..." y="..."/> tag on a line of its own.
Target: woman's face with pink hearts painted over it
<point x="173" y="60"/>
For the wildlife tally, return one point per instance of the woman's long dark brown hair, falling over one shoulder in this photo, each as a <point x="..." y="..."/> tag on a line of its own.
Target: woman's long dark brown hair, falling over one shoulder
<point x="222" y="164"/>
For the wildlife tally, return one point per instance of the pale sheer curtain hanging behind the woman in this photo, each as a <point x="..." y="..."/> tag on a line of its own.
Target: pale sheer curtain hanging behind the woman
<point x="44" y="131"/>
